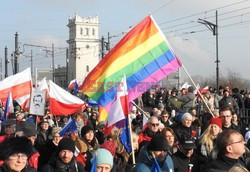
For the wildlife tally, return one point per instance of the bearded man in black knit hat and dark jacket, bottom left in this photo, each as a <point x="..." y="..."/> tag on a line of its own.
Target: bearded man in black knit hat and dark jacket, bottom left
<point x="64" y="159"/>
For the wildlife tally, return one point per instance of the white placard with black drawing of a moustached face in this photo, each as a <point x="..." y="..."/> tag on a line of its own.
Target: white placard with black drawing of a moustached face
<point x="37" y="102"/>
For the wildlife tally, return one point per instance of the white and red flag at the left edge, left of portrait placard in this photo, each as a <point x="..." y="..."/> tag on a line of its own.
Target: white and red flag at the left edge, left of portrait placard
<point x="20" y="85"/>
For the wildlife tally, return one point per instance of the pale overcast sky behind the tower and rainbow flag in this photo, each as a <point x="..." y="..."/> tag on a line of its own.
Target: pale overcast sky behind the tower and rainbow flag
<point x="44" y="22"/>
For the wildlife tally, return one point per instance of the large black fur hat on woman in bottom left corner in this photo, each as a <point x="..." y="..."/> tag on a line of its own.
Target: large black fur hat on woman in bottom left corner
<point x="15" y="145"/>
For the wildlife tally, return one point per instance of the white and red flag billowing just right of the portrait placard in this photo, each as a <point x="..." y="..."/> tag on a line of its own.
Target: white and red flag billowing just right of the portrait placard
<point x="62" y="102"/>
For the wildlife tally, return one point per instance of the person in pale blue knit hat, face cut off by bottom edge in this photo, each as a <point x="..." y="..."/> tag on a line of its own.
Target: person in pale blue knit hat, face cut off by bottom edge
<point x="104" y="160"/>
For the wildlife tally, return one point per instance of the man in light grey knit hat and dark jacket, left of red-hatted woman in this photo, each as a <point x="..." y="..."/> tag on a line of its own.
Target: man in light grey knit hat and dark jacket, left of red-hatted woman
<point x="185" y="127"/>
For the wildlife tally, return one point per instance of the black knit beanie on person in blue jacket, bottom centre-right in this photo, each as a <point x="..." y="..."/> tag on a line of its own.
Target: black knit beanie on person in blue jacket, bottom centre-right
<point x="158" y="143"/>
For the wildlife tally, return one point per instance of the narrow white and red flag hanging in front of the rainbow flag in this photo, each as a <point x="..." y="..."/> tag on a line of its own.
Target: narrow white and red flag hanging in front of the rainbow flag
<point x="120" y="106"/>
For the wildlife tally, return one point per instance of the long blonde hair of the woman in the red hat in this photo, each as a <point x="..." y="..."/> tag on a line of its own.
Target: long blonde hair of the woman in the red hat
<point x="207" y="139"/>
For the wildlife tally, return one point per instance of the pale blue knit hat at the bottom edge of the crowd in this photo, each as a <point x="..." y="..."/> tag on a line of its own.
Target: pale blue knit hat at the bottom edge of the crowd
<point x="103" y="156"/>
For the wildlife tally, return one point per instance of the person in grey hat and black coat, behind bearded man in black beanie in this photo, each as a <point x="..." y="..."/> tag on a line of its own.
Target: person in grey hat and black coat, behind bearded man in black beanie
<point x="50" y="147"/>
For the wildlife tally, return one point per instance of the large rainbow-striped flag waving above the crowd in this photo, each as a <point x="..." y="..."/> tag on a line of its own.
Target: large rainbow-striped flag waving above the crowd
<point x="143" y="55"/>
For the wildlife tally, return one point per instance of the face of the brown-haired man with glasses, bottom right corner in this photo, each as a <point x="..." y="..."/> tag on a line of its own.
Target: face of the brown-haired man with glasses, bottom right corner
<point x="236" y="145"/>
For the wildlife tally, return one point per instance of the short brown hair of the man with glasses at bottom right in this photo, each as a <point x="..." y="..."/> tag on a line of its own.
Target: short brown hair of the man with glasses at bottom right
<point x="223" y="140"/>
